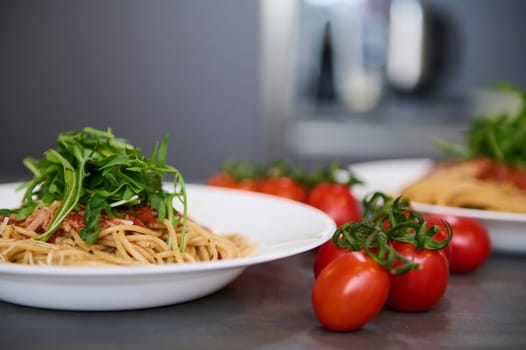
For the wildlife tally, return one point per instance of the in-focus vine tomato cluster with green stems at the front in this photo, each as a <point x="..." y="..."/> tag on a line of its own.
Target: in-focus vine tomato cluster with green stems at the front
<point x="393" y="257"/>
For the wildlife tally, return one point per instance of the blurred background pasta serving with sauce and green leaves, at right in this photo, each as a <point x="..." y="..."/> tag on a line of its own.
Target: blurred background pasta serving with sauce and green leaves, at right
<point x="489" y="170"/>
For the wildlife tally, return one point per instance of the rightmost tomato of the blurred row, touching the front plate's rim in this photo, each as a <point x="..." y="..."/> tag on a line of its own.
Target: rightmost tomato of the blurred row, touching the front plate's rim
<point x="335" y="200"/>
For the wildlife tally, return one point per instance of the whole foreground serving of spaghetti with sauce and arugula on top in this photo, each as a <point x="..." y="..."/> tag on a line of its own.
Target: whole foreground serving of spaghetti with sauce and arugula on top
<point x="97" y="200"/>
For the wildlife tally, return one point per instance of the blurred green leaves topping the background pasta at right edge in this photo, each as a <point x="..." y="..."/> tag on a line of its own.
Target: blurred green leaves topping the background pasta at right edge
<point x="501" y="137"/>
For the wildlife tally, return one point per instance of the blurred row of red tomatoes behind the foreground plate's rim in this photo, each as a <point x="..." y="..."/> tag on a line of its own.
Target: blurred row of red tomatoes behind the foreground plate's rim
<point x="327" y="188"/>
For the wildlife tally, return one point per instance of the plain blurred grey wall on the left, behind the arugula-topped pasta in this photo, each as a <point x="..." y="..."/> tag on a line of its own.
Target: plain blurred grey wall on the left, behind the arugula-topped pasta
<point x="142" y="68"/>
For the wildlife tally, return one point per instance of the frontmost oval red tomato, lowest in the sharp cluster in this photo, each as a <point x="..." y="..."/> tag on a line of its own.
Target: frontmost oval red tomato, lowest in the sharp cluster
<point x="349" y="292"/>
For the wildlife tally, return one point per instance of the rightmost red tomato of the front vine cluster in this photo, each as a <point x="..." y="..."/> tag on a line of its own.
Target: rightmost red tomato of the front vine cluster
<point x="470" y="245"/>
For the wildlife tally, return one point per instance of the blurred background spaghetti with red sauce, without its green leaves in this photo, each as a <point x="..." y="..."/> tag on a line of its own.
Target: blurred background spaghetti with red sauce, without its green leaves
<point x="466" y="184"/>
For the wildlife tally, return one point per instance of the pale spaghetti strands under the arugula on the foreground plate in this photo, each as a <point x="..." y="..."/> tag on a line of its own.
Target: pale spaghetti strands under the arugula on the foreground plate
<point x="121" y="242"/>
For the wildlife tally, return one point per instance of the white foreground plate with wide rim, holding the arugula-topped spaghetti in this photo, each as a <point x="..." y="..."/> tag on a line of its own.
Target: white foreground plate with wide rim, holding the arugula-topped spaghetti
<point x="279" y="227"/>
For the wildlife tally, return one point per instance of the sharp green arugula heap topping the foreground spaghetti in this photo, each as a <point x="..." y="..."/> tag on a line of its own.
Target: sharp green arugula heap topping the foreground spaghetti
<point x="94" y="169"/>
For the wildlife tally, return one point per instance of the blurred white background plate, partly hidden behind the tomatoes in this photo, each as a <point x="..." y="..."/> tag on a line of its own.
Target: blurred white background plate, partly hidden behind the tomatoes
<point x="507" y="230"/>
